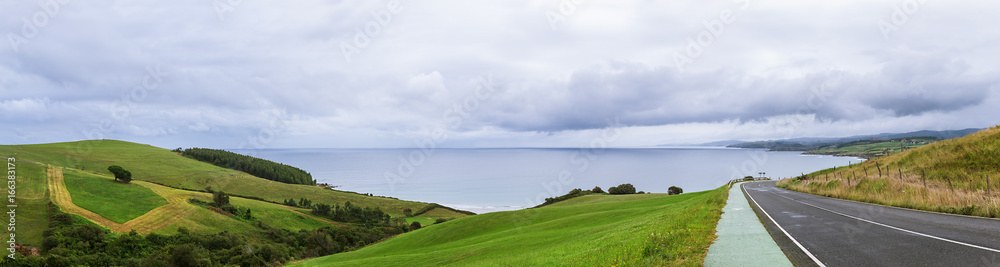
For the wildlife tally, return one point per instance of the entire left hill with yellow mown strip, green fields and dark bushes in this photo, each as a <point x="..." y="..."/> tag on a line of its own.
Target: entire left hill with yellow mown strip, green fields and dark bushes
<point x="73" y="211"/>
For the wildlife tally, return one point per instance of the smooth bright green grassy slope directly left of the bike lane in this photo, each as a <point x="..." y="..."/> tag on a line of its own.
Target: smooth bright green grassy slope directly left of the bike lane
<point x="593" y="230"/>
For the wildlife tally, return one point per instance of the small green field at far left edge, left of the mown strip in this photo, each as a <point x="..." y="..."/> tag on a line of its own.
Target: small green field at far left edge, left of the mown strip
<point x="32" y="200"/>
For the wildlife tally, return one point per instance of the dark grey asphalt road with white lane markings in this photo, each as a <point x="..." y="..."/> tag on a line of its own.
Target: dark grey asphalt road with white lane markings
<point x="832" y="232"/>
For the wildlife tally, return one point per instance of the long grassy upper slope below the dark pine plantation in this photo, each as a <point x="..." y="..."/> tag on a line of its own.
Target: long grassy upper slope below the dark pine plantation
<point x="162" y="166"/>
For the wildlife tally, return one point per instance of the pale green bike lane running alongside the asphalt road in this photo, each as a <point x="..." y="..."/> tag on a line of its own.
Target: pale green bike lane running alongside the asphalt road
<point x="742" y="240"/>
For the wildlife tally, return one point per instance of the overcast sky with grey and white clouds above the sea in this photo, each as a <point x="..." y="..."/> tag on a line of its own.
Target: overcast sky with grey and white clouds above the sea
<point x="231" y="74"/>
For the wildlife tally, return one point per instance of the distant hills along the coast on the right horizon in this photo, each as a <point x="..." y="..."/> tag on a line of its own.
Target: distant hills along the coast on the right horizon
<point x="811" y="143"/>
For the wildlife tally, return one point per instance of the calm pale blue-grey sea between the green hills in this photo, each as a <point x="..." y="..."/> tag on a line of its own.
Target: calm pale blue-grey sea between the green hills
<point x="484" y="180"/>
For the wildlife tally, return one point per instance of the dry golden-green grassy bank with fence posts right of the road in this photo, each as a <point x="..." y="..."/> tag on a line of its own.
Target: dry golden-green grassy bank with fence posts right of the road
<point x="946" y="176"/>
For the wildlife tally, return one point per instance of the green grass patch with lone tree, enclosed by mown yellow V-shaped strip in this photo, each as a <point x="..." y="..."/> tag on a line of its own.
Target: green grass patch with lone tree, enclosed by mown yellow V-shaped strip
<point x="113" y="200"/>
